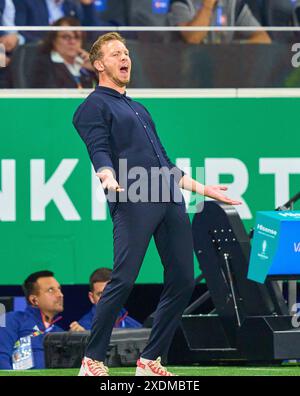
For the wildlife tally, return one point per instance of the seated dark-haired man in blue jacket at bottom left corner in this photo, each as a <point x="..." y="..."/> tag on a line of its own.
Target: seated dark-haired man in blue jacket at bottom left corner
<point x="21" y="340"/>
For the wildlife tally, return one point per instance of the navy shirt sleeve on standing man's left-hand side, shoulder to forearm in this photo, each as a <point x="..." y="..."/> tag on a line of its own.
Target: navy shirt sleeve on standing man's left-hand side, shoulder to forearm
<point x="95" y="132"/>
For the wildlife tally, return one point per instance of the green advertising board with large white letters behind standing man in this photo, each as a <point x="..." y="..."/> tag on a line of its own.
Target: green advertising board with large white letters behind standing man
<point x="50" y="218"/>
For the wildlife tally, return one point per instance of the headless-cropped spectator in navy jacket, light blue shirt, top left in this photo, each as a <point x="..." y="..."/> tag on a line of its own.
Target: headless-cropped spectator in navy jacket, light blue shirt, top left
<point x="46" y="12"/>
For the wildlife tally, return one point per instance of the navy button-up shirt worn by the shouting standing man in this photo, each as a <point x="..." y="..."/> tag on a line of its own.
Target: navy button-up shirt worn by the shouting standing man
<point x="114" y="127"/>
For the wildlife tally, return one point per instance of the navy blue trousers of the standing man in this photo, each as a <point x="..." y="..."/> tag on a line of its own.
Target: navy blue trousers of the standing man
<point x="134" y="226"/>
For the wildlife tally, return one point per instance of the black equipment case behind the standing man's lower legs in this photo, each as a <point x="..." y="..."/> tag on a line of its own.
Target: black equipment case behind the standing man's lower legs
<point x="66" y="349"/>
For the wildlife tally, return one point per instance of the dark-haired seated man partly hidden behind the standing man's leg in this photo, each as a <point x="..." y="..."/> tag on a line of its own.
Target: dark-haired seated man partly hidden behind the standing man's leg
<point x="98" y="280"/>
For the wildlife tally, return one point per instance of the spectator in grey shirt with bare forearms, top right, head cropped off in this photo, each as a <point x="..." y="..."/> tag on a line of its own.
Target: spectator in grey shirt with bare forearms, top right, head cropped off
<point x="215" y="13"/>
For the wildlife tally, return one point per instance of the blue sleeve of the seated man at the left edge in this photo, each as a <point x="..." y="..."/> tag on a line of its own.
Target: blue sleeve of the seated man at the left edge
<point x="8" y="337"/>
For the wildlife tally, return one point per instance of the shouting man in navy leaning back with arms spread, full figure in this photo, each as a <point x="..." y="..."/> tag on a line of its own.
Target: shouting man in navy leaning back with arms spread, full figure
<point x="122" y="142"/>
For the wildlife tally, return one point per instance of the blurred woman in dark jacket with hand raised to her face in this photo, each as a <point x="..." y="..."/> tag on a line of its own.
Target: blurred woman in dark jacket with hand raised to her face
<point x="62" y="62"/>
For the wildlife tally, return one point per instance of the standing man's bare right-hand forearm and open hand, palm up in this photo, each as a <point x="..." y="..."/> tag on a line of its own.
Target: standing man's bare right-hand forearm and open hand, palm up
<point x="214" y="192"/>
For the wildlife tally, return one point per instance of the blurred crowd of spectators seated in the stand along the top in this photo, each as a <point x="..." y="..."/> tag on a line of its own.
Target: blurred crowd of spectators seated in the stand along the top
<point x="63" y="59"/>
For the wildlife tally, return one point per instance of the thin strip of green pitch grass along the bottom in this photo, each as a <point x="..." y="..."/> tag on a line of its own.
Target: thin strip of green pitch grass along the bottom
<point x="286" y="370"/>
